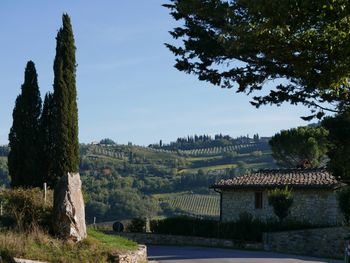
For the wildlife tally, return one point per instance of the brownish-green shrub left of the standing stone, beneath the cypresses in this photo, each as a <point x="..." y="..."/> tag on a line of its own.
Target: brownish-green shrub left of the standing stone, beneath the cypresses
<point x="26" y="208"/>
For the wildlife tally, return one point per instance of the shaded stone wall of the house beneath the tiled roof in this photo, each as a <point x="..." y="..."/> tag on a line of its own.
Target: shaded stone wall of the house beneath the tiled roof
<point x="313" y="206"/>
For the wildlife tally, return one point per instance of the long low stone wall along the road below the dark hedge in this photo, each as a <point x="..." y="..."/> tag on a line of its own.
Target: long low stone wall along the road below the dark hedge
<point x="159" y="239"/>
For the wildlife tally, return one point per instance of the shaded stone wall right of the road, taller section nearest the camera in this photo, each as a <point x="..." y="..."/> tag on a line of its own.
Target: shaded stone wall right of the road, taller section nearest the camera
<point x="321" y="242"/>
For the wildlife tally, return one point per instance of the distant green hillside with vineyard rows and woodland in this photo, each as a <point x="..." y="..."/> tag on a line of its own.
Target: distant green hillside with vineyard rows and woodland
<point x="126" y="181"/>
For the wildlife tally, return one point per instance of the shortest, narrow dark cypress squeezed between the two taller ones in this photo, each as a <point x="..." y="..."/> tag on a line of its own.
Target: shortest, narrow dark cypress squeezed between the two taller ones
<point x="47" y="141"/>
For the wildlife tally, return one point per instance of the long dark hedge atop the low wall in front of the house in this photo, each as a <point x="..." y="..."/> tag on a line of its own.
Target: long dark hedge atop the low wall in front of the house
<point x="246" y="228"/>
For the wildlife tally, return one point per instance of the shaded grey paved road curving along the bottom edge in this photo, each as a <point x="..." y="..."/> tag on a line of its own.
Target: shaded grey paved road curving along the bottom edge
<point x="172" y="254"/>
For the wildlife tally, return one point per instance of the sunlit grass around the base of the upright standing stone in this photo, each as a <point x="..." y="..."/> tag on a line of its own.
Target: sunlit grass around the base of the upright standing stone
<point x="36" y="245"/>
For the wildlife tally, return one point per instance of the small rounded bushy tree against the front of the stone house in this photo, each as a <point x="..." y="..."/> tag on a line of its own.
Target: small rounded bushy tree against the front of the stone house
<point x="281" y="201"/>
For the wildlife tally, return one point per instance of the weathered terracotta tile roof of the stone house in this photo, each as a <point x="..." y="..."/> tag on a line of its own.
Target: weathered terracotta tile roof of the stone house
<point x="293" y="178"/>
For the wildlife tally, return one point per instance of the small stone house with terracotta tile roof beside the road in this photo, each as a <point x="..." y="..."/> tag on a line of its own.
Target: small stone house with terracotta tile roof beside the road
<point x="314" y="192"/>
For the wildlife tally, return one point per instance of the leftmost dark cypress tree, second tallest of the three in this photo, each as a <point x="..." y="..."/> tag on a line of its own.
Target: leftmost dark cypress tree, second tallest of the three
<point x="24" y="133"/>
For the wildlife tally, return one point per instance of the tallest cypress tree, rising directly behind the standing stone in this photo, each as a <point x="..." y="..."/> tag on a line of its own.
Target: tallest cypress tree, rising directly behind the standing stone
<point x="66" y="152"/>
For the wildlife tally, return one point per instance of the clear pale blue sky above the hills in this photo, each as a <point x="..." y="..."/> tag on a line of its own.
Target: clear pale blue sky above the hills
<point x="128" y="89"/>
